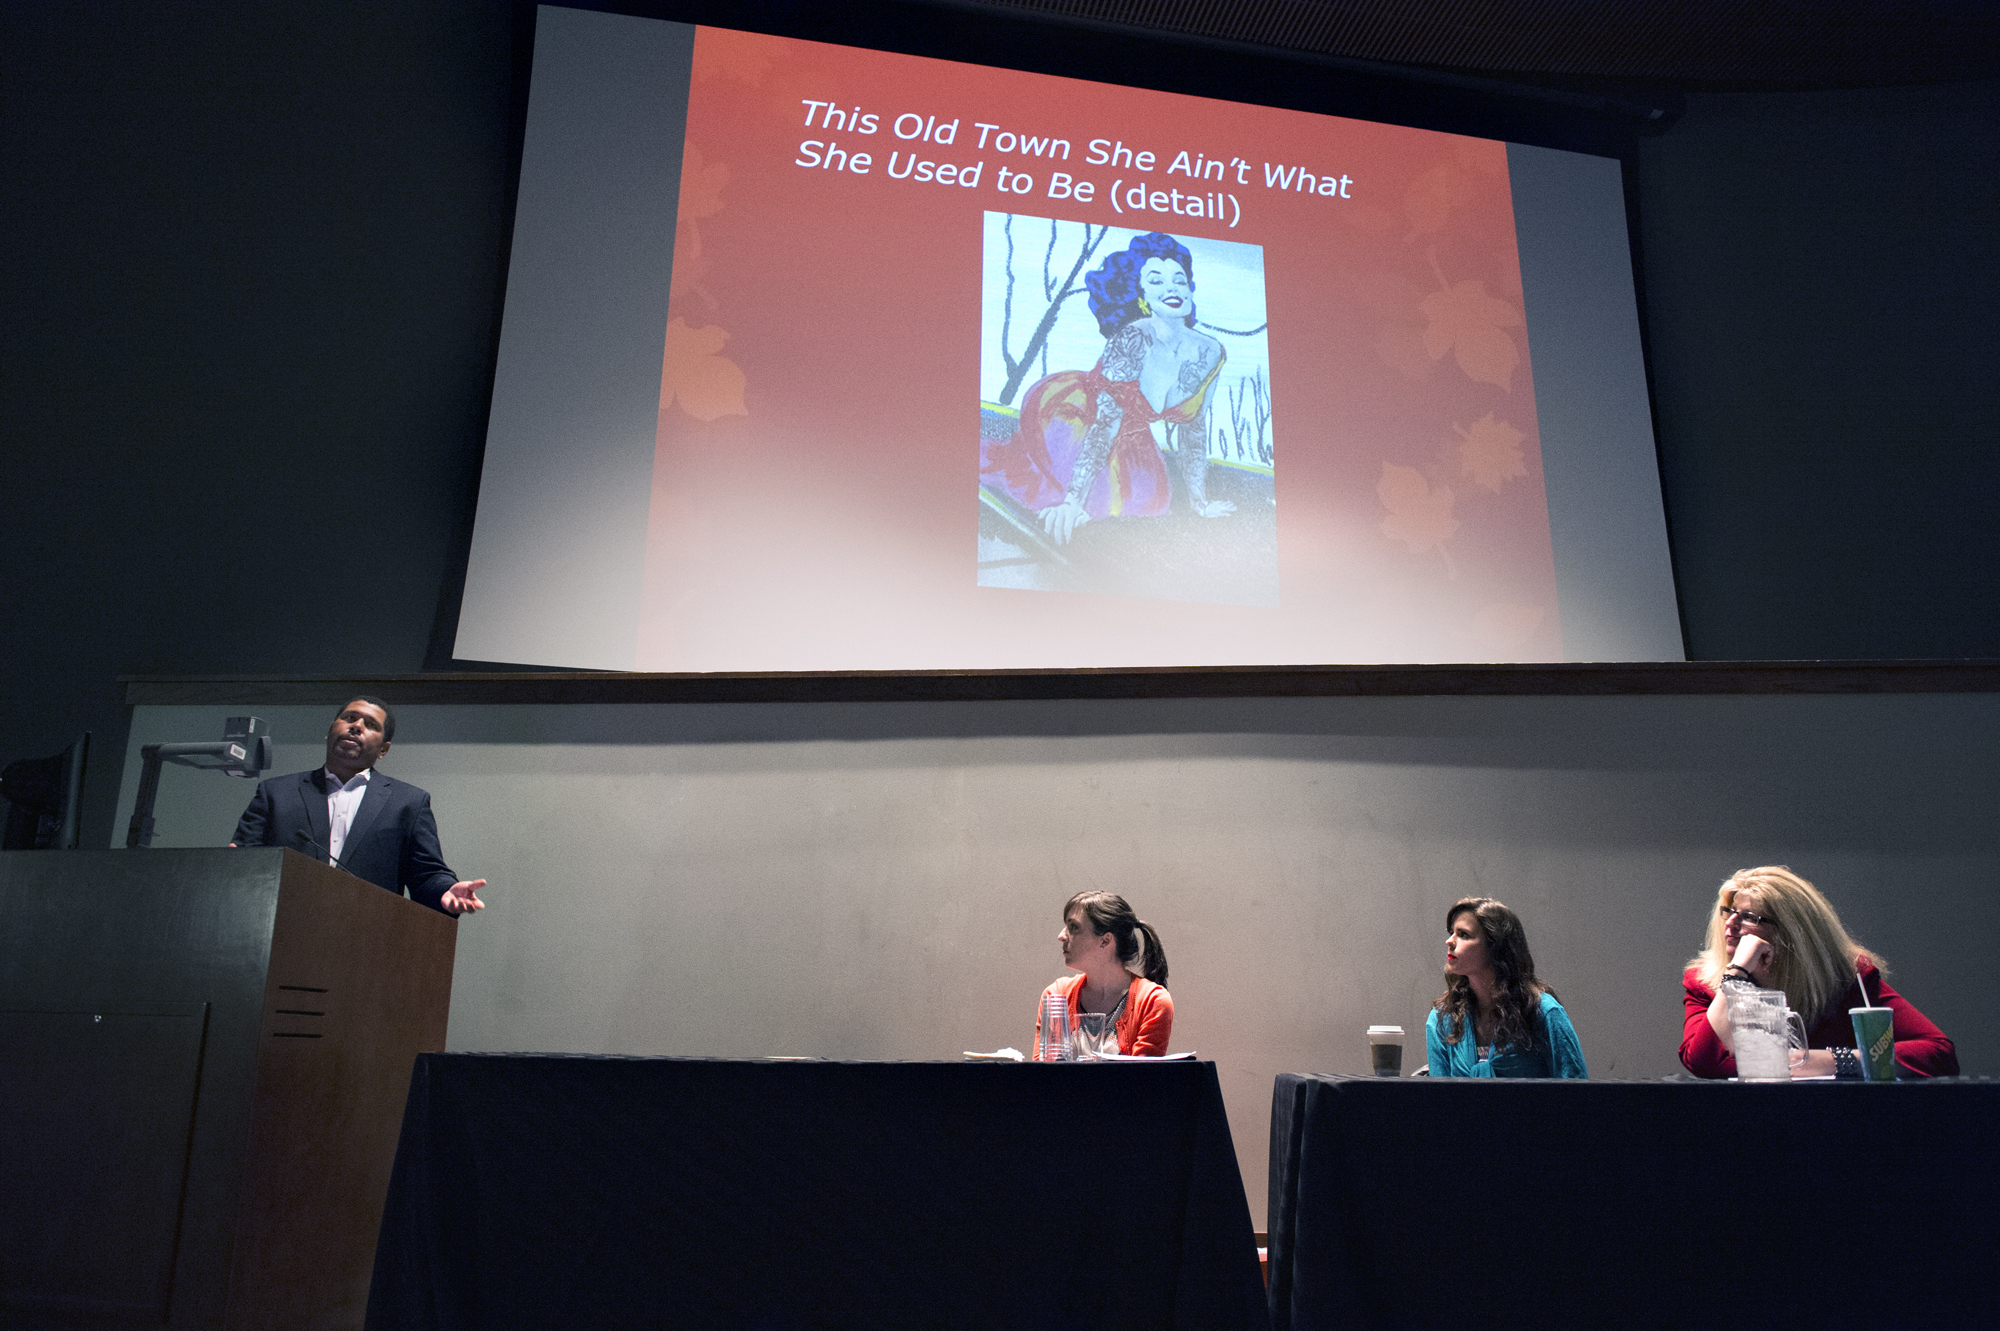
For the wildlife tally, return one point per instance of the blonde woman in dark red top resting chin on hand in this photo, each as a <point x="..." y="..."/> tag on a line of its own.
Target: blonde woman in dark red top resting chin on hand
<point x="1775" y="930"/>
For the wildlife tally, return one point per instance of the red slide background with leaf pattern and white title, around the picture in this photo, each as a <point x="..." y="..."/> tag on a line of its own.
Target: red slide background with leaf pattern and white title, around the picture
<point x="817" y="461"/>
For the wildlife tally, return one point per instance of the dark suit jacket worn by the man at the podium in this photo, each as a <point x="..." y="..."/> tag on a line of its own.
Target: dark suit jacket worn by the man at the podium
<point x="393" y="840"/>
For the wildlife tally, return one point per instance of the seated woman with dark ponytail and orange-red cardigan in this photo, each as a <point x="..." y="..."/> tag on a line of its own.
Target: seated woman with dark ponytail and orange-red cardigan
<point x="1123" y="974"/>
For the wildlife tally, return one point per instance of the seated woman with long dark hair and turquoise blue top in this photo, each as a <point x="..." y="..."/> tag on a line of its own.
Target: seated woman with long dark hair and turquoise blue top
<point x="1497" y="1018"/>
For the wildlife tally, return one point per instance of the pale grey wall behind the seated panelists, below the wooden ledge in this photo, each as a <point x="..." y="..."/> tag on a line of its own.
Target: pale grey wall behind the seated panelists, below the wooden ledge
<point x="883" y="880"/>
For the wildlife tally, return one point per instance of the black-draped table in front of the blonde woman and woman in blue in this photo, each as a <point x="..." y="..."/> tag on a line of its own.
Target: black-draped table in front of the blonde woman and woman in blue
<point x="1637" y="1204"/>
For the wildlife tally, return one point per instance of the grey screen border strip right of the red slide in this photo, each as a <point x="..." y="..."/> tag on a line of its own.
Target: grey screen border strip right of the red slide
<point x="1607" y="523"/>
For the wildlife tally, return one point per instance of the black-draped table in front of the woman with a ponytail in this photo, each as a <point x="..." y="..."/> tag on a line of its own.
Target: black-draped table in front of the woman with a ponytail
<point x="601" y="1192"/>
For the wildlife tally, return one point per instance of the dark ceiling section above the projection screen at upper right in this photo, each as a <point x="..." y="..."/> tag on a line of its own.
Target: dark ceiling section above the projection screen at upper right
<point x="1681" y="43"/>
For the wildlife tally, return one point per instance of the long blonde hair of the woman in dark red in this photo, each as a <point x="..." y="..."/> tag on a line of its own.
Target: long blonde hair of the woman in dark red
<point x="1813" y="956"/>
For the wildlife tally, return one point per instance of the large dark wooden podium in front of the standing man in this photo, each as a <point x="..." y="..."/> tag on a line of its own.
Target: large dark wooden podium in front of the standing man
<point x="203" y="1068"/>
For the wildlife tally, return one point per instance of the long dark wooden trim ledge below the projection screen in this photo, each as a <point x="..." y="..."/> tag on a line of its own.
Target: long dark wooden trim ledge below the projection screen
<point x="1555" y="680"/>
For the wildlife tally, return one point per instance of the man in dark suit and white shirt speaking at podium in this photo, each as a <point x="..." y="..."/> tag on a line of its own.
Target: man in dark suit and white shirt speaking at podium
<point x="359" y="820"/>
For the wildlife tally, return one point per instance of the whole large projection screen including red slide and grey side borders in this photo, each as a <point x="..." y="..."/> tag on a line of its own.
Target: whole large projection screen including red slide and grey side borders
<point x="825" y="359"/>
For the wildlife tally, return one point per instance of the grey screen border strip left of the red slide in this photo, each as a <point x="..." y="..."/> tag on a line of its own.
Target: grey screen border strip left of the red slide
<point x="559" y="537"/>
